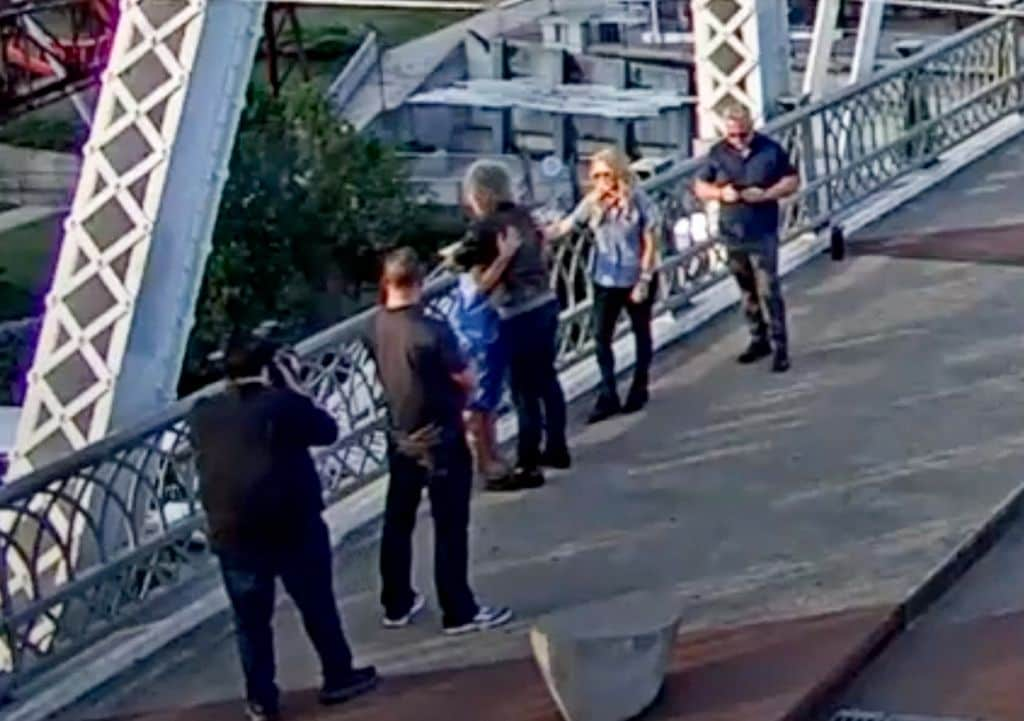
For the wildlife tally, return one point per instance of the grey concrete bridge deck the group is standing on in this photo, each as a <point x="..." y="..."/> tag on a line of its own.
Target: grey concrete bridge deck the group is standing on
<point x="755" y="498"/>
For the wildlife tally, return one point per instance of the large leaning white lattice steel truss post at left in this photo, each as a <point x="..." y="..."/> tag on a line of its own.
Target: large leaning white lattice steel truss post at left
<point x="122" y="298"/>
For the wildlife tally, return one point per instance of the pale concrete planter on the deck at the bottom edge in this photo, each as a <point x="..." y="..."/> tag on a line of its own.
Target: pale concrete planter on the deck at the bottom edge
<point x="608" y="661"/>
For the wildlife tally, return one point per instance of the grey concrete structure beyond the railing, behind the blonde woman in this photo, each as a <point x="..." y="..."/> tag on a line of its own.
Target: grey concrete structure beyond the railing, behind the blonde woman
<point x="535" y="93"/>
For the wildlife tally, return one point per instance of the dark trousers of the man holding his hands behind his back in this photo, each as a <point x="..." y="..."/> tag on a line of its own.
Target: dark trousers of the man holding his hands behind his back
<point x="450" y="485"/>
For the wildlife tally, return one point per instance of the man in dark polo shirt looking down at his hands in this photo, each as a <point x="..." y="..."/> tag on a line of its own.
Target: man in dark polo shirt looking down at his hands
<point x="748" y="175"/>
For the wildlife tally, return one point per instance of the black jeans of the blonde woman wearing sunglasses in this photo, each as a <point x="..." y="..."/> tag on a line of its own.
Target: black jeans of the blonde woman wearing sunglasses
<point x="609" y="306"/>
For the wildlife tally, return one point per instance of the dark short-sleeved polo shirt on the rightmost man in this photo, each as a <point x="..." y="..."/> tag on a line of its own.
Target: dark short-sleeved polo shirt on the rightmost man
<point x="764" y="165"/>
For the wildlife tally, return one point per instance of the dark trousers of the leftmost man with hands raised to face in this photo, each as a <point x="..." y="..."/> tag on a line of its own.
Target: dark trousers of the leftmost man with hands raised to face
<point x="305" y="568"/>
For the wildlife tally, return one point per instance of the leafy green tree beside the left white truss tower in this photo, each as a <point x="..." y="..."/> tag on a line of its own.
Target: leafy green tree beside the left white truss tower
<point x="309" y="209"/>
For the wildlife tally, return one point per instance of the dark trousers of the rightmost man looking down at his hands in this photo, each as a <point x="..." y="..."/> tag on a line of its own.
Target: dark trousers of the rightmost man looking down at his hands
<point x="756" y="271"/>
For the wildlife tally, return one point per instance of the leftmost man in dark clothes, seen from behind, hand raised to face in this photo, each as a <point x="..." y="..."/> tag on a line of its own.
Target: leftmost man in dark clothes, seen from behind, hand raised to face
<point x="264" y="503"/>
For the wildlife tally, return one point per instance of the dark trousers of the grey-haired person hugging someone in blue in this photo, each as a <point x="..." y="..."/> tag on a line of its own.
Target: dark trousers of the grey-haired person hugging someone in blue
<point x="532" y="340"/>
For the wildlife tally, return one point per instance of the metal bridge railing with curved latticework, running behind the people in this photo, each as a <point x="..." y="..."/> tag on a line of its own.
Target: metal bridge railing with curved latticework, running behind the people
<point x="129" y="506"/>
